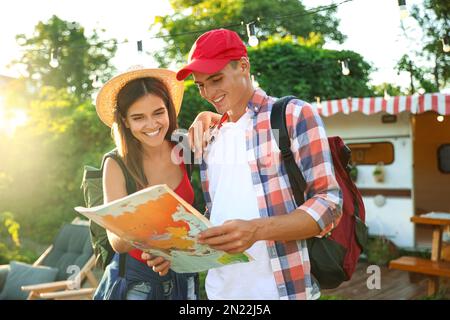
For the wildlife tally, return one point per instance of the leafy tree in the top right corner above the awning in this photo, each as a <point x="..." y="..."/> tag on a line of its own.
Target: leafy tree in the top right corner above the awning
<point x="433" y="18"/>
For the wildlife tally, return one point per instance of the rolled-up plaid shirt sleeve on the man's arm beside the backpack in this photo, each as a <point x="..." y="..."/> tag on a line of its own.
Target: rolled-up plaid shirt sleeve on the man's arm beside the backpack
<point x="312" y="154"/>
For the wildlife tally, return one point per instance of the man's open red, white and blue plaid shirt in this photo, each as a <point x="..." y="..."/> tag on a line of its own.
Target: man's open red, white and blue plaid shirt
<point x="289" y="259"/>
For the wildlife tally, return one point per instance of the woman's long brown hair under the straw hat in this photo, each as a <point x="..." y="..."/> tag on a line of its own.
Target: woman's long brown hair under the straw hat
<point x="130" y="149"/>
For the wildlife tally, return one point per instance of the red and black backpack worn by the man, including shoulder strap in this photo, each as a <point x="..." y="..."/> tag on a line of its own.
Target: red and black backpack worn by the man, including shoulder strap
<point x="334" y="257"/>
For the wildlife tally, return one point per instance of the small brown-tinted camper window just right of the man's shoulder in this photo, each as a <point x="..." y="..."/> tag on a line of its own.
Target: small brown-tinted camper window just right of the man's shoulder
<point x="372" y="153"/>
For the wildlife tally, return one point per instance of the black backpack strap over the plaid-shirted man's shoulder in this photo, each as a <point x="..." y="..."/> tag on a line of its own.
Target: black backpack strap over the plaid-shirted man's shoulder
<point x="278" y="122"/>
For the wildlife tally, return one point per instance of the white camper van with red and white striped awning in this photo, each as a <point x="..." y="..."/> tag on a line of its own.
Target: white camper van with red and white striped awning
<point x="401" y="152"/>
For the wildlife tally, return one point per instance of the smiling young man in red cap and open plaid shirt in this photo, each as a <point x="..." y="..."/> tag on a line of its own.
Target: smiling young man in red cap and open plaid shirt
<point x="245" y="185"/>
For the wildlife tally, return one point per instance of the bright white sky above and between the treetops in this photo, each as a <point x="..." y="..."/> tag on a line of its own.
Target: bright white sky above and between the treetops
<point x="372" y="28"/>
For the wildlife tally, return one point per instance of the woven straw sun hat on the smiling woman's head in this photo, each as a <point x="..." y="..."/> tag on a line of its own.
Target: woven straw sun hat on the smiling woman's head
<point x="106" y="102"/>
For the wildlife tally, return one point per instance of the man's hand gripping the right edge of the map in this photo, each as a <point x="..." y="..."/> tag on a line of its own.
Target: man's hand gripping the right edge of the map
<point x="233" y="236"/>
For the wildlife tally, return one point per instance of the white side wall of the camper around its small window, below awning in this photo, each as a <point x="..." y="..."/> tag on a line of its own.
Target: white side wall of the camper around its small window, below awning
<point x="391" y="219"/>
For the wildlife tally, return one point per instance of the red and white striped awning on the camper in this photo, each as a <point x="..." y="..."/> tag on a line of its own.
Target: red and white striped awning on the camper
<point x="437" y="102"/>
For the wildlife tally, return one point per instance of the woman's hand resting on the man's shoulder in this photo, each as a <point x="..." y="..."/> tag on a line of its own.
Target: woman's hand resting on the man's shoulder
<point x="199" y="131"/>
